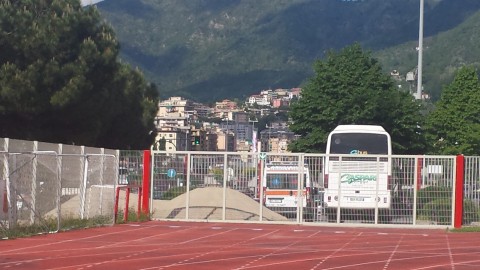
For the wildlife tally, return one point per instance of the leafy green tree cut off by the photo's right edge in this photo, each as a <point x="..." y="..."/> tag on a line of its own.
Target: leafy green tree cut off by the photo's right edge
<point x="453" y="127"/>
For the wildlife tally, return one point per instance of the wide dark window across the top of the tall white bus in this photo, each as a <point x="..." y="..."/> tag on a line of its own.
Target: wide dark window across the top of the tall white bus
<point x="359" y="143"/>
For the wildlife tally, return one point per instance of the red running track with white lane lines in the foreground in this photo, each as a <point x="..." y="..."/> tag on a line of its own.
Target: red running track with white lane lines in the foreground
<point x="189" y="245"/>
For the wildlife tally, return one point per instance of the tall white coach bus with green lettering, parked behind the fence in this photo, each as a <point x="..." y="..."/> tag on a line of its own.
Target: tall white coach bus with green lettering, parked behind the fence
<point x="358" y="168"/>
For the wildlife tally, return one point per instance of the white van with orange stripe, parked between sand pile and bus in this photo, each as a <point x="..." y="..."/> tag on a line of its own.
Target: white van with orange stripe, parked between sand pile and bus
<point x="280" y="188"/>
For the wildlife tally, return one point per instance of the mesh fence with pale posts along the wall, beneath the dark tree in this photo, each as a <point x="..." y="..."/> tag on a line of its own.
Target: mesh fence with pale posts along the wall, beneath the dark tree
<point x="50" y="186"/>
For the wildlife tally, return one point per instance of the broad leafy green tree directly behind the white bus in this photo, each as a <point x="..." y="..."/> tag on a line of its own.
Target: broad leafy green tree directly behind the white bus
<point x="350" y="88"/>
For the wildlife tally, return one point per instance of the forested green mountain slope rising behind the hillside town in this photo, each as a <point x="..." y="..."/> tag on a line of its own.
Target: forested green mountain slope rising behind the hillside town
<point x="212" y="49"/>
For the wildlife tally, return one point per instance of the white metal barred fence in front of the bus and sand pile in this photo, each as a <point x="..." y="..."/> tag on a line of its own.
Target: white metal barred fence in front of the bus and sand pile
<point x="312" y="188"/>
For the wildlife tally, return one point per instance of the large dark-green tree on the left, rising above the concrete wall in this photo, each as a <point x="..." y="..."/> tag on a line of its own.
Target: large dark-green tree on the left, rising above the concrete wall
<point x="60" y="80"/>
